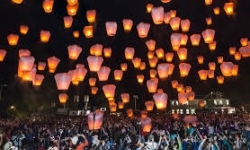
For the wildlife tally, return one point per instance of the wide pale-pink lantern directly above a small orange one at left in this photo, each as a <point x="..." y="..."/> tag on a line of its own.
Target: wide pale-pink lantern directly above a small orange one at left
<point x="63" y="81"/>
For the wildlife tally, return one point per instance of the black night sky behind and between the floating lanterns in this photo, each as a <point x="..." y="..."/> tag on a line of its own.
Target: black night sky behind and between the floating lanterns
<point x="229" y="30"/>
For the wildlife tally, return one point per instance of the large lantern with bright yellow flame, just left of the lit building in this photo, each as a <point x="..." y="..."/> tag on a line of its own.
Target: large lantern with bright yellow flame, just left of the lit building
<point x="161" y="100"/>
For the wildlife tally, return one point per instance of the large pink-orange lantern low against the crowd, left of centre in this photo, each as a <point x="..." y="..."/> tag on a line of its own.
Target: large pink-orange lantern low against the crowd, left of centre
<point x="95" y="120"/>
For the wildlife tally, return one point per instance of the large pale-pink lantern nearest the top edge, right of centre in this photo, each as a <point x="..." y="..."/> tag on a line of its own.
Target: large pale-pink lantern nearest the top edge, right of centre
<point x="157" y="14"/>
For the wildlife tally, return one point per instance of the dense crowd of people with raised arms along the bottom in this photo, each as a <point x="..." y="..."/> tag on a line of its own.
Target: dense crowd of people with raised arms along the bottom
<point x="169" y="132"/>
